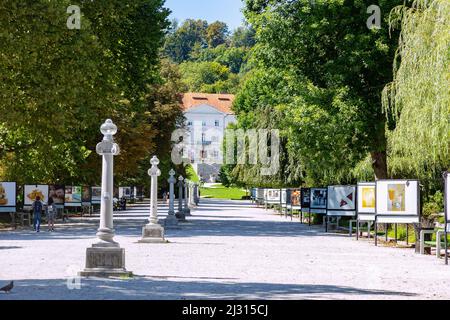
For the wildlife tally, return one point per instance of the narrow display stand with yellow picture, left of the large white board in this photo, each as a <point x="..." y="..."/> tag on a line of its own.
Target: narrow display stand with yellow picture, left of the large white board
<point x="366" y="209"/>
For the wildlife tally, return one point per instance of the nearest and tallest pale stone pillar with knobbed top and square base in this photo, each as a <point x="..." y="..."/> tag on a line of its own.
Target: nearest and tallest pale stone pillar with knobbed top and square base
<point x="105" y="258"/>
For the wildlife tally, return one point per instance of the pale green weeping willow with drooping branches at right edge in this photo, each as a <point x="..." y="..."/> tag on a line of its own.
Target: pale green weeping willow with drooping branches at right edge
<point x="419" y="96"/>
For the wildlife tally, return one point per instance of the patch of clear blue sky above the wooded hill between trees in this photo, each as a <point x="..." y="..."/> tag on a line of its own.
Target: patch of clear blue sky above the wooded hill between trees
<point x="228" y="11"/>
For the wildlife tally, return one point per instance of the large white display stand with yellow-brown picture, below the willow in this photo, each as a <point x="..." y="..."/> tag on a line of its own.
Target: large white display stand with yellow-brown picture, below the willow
<point x="397" y="201"/>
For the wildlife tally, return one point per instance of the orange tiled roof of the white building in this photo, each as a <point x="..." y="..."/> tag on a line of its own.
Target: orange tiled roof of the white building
<point x="222" y="102"/>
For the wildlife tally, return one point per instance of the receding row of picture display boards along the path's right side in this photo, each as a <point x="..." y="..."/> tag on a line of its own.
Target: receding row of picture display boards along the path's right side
<point x="384" y="201"/>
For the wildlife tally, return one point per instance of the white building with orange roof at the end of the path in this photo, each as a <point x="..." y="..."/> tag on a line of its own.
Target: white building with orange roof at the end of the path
<point x="207" y="118"/>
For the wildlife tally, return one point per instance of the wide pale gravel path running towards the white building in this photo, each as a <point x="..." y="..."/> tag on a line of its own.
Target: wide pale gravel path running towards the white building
<point x="228" y="250"/>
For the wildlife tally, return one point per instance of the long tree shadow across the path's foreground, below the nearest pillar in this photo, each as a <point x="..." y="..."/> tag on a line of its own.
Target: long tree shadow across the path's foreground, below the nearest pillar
<point x="141" y="288"/>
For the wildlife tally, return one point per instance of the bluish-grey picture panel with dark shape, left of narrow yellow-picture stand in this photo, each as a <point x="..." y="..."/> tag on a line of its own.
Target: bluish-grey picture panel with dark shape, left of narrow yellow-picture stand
<point x="341" y="201"/>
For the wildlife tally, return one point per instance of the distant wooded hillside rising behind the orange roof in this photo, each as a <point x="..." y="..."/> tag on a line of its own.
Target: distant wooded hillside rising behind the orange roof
<point x="211" y="60"/>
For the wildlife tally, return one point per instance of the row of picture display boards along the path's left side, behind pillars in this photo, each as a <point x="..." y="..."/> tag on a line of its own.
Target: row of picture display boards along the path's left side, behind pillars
<point x="63" y="196"/>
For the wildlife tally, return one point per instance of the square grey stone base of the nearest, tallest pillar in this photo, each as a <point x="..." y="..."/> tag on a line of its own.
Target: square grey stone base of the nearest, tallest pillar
<point x="105" y="262"/>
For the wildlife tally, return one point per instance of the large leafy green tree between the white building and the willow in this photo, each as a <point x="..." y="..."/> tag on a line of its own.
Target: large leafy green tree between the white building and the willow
<point x="318" y="77"/>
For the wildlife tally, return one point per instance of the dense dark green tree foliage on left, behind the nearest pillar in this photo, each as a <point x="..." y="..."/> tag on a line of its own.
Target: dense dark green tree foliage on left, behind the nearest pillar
<point x="59" y="85"/>
